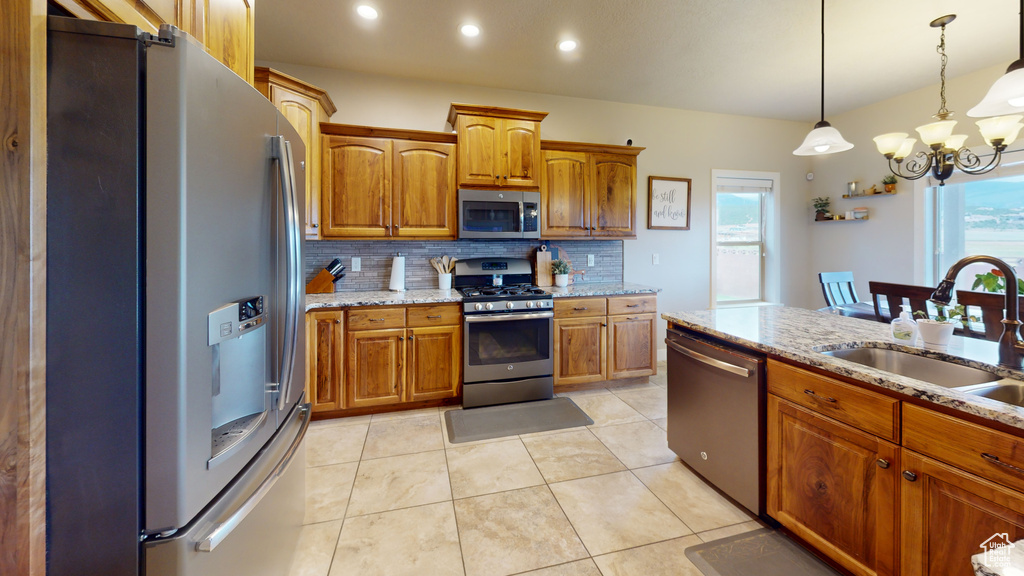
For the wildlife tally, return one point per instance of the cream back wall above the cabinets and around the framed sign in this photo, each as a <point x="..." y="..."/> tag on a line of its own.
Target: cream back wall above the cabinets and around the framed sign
<point x="678" y="143"/>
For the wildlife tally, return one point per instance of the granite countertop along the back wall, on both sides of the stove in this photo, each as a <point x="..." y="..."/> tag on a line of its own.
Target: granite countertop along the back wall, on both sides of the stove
<point x="388" y="298"/>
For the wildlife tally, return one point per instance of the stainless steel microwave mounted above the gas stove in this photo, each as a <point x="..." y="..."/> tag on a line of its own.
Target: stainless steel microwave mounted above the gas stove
<point x="499" y="214"/>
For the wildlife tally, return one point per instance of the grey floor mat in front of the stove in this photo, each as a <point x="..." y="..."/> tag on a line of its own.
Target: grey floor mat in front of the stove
<point x="511" y="420"/>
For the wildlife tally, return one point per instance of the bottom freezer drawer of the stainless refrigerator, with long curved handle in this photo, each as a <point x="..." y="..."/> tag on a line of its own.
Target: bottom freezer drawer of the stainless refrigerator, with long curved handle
<point x="253" y="528"/>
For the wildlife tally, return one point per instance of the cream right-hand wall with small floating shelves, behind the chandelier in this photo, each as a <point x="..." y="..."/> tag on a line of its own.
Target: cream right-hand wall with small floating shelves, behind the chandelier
<point x="884" y="249"/>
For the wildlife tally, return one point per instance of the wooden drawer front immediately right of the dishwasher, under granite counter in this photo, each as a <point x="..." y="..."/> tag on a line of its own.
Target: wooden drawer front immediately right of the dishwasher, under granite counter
<point x="871" y="413"/>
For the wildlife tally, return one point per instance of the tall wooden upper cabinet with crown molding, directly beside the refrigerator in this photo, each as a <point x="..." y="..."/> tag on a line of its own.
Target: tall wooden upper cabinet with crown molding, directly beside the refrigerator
<point x="306" y="107"/>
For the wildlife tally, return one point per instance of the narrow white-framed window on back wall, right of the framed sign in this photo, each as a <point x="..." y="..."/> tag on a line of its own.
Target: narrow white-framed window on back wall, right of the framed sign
<point x="744" y="262"/>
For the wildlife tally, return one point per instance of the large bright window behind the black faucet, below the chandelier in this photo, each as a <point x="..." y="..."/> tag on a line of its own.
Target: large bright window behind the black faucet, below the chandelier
<point x="976" y="217"/>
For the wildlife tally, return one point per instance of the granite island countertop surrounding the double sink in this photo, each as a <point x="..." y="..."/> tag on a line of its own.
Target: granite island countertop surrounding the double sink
<point x="800" y="336"/>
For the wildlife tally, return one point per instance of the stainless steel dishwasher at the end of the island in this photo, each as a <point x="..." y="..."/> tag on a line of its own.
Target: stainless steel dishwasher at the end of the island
<point x="717" y="415"/>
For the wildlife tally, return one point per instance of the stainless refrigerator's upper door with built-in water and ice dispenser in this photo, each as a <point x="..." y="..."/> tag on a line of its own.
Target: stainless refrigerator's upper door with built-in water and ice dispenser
<point x="215" y="217"/>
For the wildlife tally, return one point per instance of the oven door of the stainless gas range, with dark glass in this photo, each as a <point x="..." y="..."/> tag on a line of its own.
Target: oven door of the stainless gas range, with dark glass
<point x="508" y="347"/>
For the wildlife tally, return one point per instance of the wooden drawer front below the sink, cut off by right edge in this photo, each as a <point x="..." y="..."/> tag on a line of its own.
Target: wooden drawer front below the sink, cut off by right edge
<point x="989" y="454"/>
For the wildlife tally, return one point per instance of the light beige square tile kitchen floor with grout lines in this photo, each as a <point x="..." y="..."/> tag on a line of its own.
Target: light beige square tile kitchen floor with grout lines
<point x="390" y="496"/>
